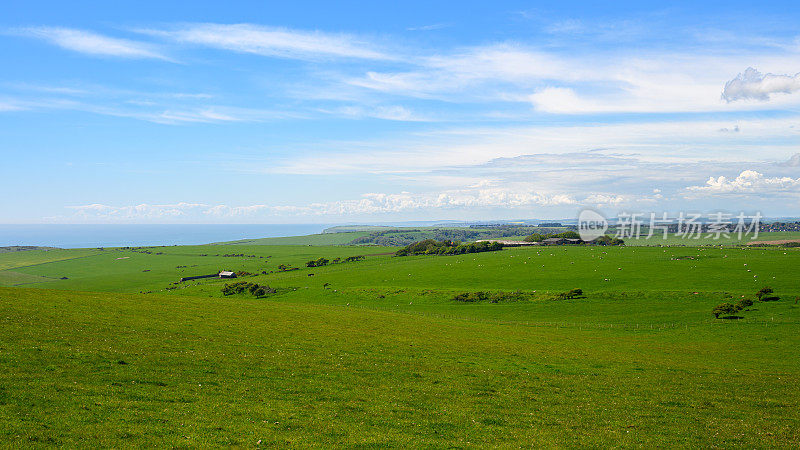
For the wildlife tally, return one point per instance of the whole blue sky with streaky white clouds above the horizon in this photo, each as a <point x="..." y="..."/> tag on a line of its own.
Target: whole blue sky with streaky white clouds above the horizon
<point x="295" y="112"/>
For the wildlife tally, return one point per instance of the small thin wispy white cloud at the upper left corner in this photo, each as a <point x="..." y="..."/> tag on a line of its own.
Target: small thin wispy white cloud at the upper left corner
<point x="91" y="43"/>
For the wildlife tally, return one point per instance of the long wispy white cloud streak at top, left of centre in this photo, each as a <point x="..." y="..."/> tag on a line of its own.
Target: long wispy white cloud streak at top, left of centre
<point x="271" y="41"/>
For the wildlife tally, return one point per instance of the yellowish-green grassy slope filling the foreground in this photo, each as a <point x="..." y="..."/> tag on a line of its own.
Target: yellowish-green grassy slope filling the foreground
<point x="93" y="369"/>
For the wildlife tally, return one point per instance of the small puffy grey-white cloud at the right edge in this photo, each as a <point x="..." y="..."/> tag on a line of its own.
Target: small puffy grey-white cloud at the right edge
<point x="754" y="85"/>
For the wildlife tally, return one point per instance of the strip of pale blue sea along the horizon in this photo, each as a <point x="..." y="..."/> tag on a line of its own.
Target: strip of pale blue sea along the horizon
<point x="84" y="236"/>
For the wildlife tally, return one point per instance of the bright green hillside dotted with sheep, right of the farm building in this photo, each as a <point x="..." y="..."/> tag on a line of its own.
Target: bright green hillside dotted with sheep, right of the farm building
<point x="594" y="269"/>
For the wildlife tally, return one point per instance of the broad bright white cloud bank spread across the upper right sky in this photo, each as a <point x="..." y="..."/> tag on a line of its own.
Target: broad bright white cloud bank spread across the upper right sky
<point x="559" y="83"/>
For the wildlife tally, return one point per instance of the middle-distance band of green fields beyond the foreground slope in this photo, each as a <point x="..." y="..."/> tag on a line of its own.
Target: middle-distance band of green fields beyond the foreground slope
<point x="594" y="269"/>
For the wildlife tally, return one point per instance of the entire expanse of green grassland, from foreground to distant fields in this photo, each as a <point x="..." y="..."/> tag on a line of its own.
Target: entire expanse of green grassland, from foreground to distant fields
<point x="375" y="353"/>
